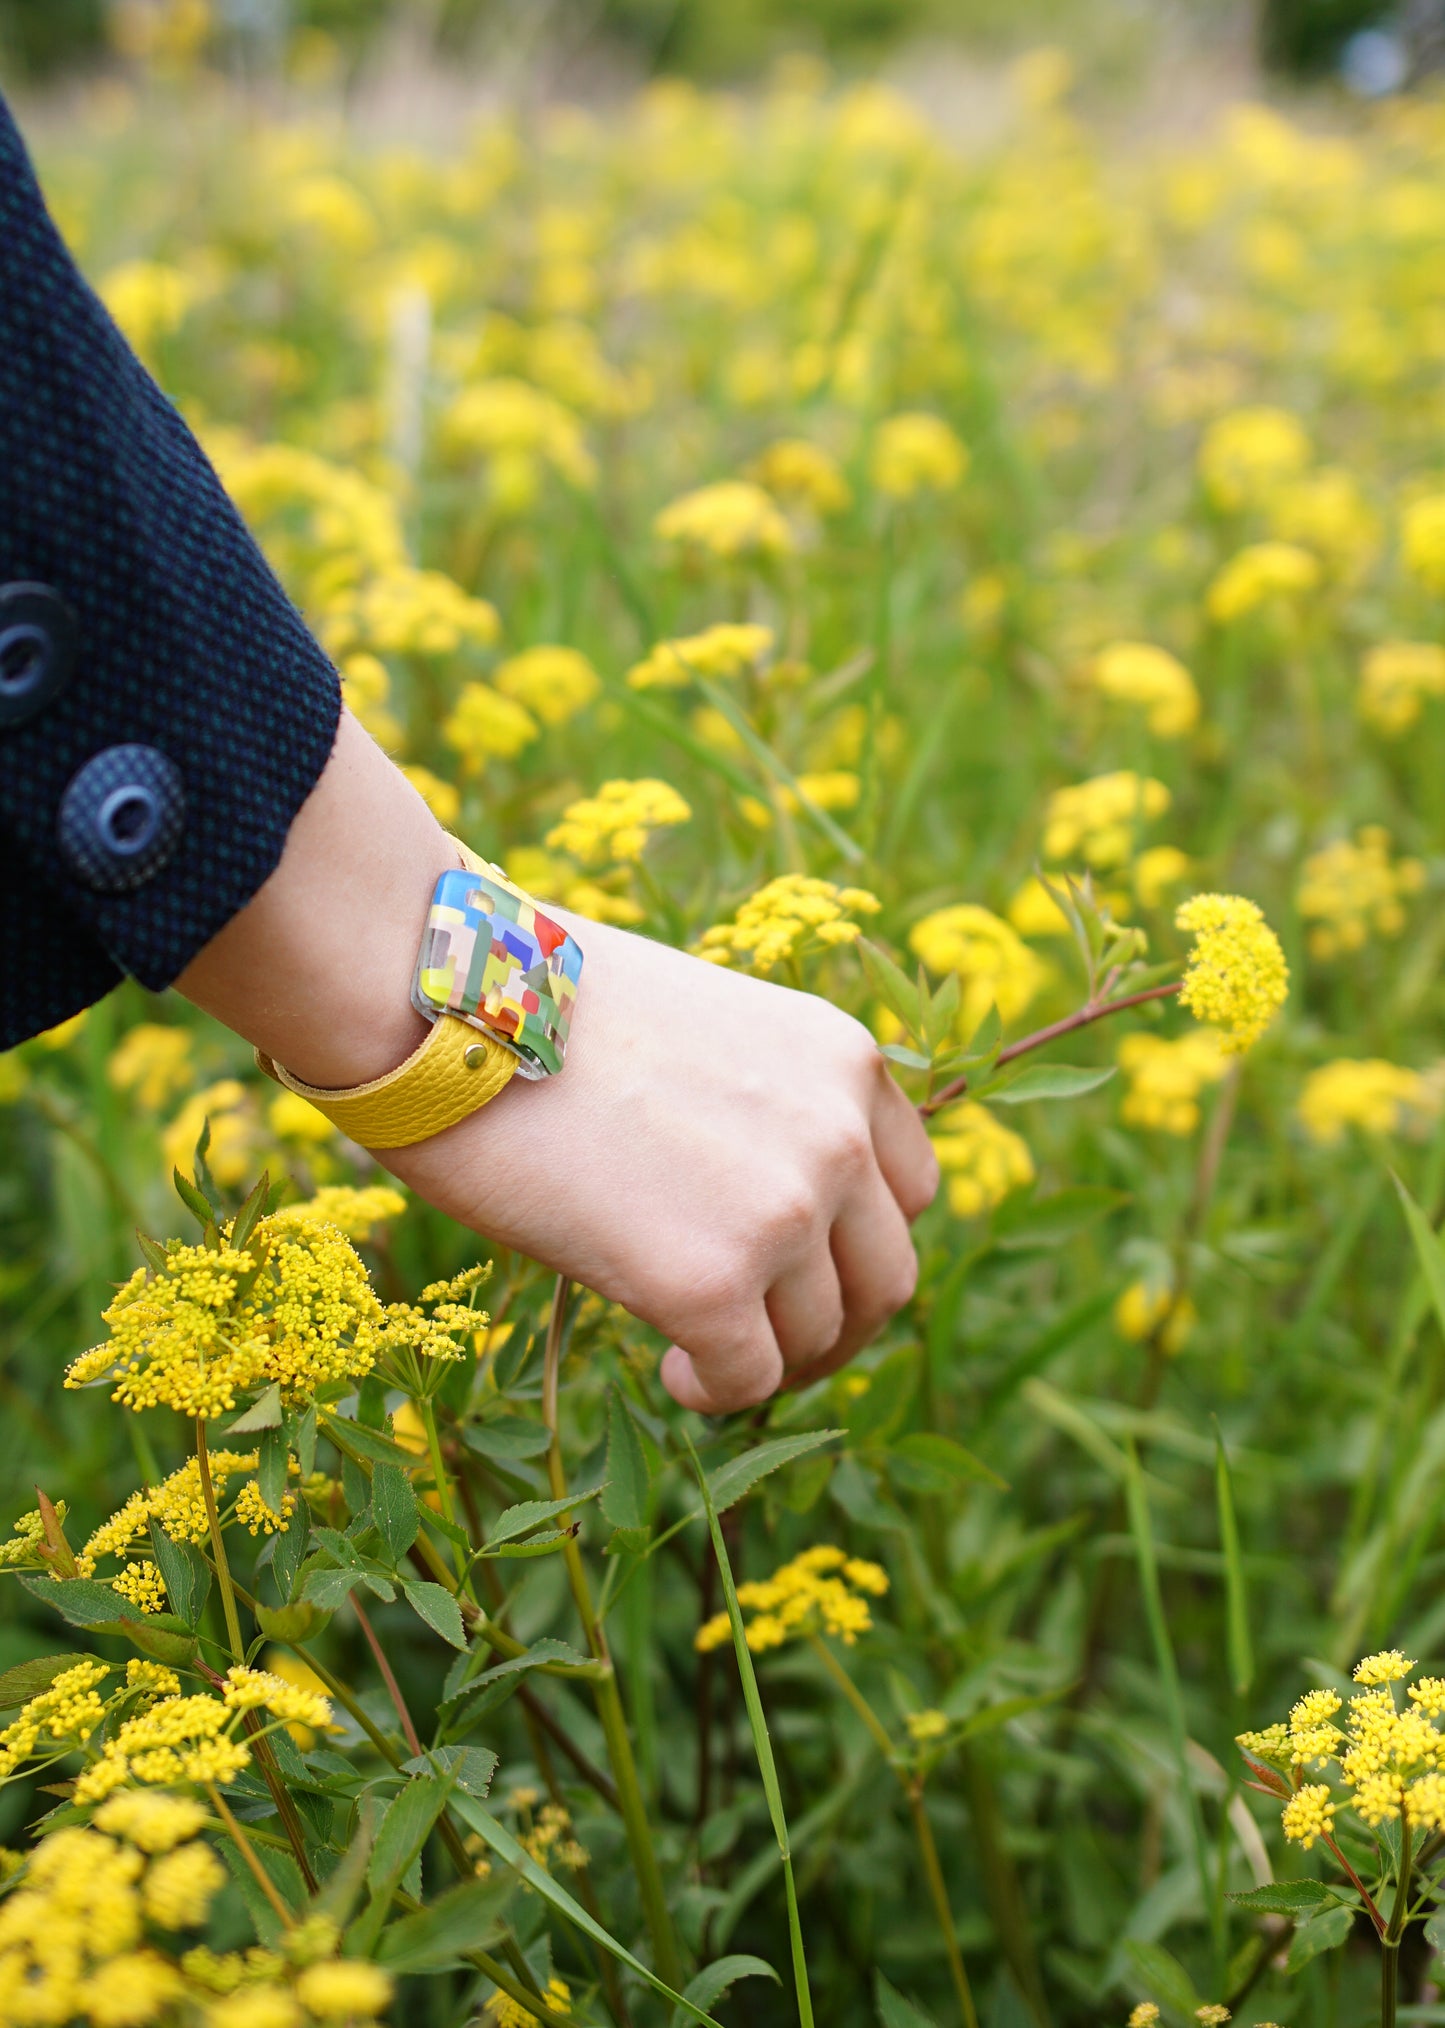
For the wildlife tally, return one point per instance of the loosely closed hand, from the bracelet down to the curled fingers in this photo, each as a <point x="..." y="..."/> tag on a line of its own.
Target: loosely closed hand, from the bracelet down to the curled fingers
<point x="727" y="1159"/>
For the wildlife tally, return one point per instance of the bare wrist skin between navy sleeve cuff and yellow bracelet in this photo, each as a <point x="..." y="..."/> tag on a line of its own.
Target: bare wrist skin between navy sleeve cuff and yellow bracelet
<point x="317" y="968"/>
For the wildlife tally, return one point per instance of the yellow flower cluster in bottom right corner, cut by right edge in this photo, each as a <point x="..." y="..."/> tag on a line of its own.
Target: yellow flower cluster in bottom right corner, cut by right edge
<point x="1387" y="1757"/>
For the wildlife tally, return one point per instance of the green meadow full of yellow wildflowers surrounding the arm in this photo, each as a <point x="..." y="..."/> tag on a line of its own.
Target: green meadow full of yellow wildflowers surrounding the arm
<point x="972" y="583"/>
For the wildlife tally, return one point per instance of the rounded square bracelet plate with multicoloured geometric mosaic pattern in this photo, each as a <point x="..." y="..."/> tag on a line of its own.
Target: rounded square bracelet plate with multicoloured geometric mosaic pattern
<point x="491" y="956"/>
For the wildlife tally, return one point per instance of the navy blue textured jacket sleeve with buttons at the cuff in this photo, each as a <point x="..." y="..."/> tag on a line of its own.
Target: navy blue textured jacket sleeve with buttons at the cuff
<point x="163" y="709"/>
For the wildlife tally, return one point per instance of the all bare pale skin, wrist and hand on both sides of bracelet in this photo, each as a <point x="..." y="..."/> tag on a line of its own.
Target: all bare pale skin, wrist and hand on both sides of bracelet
<point x="739" y="1173"/>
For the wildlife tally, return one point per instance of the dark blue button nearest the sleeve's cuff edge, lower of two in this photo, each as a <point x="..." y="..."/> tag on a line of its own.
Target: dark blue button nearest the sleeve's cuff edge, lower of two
<point x="121" y="818"/>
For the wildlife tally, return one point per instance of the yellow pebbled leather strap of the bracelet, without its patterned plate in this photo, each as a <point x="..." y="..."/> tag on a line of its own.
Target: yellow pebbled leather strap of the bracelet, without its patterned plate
<point x="449" y="1076"/>
